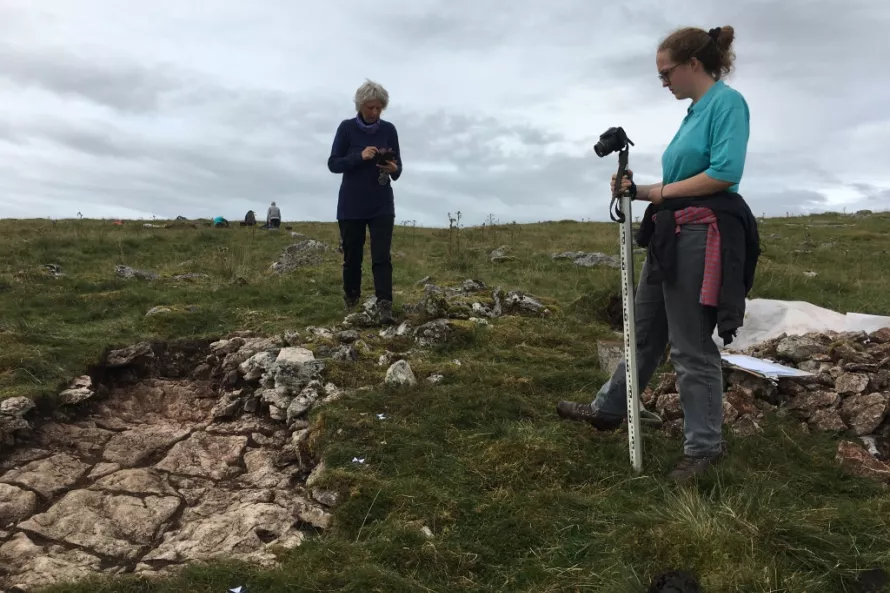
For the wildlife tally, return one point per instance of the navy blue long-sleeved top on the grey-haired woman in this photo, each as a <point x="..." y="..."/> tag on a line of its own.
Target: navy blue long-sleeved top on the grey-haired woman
<point x="361" y="195"/>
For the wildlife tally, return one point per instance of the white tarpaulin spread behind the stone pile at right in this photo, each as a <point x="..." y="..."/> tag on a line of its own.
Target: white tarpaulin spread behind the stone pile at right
<point x="766" y="319"/>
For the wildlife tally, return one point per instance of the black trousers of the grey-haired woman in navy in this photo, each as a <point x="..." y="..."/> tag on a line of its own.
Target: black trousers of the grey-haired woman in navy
<point x="352" y="233"/>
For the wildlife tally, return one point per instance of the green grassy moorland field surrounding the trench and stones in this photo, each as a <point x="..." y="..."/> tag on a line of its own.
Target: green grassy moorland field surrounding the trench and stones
<point x="515" y="499"/>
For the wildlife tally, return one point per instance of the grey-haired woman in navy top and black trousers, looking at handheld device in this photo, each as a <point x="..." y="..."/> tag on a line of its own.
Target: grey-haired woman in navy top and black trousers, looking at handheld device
<point x="366" y="151"/>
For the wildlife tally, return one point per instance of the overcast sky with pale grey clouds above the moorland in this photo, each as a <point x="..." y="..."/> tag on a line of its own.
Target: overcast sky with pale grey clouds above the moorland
<point x="120" y="108"/>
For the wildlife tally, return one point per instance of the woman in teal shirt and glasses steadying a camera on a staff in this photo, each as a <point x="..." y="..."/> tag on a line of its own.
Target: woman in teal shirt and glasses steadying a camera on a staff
<point x="702" y="248"/>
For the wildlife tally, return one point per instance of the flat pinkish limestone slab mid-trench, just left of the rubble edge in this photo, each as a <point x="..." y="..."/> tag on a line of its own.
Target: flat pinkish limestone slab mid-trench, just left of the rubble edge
<point x="205" y="456"/>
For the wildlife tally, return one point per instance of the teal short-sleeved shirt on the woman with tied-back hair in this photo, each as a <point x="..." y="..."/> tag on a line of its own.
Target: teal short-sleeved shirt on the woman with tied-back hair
<point x="712" y="139"/>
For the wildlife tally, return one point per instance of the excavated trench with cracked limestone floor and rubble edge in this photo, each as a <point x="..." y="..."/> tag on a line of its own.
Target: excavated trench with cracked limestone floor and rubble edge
<point x="164" y="454"/>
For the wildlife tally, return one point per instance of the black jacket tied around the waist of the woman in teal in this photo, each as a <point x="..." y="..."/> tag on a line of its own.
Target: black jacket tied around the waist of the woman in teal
<point x="739" y="246"/>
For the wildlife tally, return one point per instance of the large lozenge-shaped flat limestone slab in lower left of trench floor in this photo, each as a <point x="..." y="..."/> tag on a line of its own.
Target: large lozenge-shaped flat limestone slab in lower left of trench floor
<point x="108" y="524"/>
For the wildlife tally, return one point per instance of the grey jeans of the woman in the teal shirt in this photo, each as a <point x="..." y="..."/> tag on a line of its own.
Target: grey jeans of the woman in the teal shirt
<point x="672" y="312"/>
